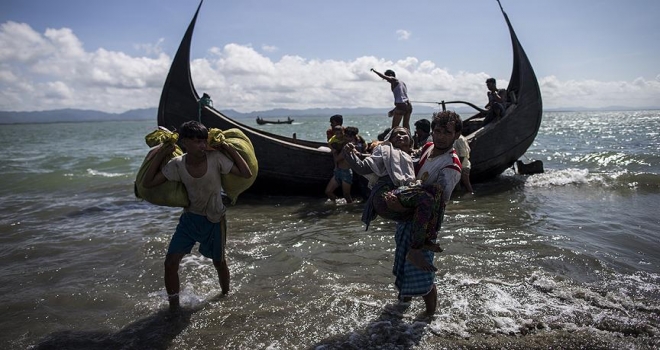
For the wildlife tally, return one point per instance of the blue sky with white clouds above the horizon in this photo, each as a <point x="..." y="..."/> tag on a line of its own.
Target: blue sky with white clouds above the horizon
<point x="251" y="55"/>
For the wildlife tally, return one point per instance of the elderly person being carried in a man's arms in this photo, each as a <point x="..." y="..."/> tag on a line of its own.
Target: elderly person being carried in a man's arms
<point x="392" y="174"/>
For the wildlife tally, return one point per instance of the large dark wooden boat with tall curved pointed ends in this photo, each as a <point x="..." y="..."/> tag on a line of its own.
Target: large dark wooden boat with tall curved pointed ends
<point x="299" y="167"/>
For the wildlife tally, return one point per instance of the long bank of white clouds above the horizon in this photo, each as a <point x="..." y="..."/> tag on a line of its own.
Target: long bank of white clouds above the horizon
<point x="52" y="70"/>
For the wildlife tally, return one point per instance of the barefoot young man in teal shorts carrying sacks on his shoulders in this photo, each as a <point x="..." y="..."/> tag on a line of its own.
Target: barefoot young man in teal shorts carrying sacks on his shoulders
<point x="204" y="220"/>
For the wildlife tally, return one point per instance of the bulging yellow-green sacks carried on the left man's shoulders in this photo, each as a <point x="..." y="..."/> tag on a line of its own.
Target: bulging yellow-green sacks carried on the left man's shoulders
<point x="173" y="193"/>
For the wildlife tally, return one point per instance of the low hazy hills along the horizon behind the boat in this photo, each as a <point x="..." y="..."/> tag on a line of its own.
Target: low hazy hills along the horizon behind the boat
<point x="81" y="115"/>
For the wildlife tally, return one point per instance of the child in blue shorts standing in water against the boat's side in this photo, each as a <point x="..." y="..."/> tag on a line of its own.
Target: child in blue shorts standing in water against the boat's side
<point x="342" y="175"/>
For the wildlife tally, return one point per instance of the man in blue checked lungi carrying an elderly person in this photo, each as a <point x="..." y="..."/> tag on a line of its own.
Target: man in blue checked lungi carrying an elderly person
<point x="439" y="164"/>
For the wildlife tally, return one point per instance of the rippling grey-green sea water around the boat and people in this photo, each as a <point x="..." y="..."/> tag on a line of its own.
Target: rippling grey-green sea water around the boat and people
<point x="565" y="259"/>
